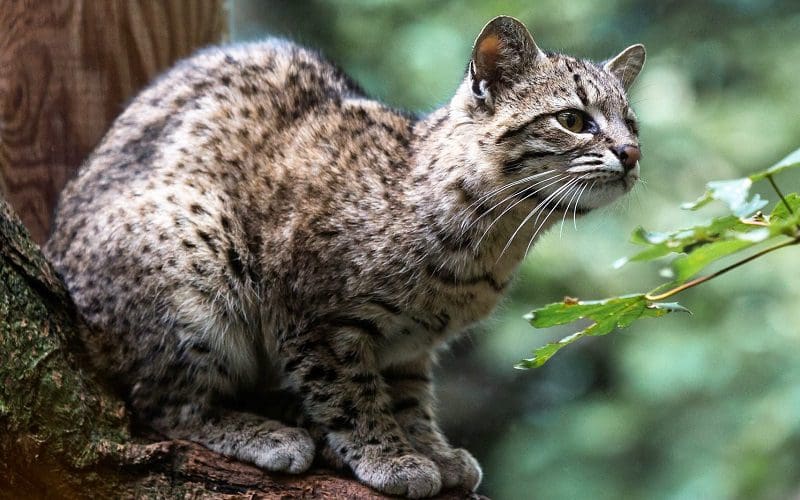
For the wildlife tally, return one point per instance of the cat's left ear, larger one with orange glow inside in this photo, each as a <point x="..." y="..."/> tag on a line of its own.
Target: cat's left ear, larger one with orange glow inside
<point x="503" y="50"/>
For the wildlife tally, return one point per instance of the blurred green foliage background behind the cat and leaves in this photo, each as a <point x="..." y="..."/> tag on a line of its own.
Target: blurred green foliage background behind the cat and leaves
<point x="685" y="407"/>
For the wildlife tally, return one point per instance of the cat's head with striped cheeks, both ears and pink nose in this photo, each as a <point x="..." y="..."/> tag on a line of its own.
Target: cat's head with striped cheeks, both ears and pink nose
<point x="559" y="125"/>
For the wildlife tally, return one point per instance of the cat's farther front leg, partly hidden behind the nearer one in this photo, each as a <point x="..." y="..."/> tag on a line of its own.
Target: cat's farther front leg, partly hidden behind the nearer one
<point x="412" y="404"/>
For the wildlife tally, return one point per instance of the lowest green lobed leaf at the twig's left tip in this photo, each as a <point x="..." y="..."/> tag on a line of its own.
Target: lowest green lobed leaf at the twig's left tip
<point x="606" y="315"/>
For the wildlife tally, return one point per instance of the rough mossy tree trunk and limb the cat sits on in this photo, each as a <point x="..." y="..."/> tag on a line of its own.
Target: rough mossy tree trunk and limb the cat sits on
<point x="64" y="434"/>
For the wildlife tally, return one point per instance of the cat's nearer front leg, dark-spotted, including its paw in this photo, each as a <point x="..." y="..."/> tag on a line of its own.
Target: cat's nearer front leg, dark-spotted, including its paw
<point x="332" y="368"/>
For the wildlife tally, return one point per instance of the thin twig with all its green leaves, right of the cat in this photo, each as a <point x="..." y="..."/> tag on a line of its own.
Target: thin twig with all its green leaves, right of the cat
<point x="696" y="248"/>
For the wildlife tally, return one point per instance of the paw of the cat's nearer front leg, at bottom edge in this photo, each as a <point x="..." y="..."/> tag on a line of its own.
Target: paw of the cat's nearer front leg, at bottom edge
<point x="413" y="476"/>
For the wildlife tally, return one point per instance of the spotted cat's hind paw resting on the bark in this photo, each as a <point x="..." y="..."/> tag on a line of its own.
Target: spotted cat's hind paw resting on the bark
<point x="290" y="450"/>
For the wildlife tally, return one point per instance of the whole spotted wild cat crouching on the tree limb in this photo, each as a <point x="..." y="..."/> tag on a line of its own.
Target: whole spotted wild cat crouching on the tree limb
<point x="254" y="223"/>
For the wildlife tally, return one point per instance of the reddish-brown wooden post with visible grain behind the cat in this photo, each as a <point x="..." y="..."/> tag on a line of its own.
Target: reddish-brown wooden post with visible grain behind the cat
<point x="67" y="68"/>
